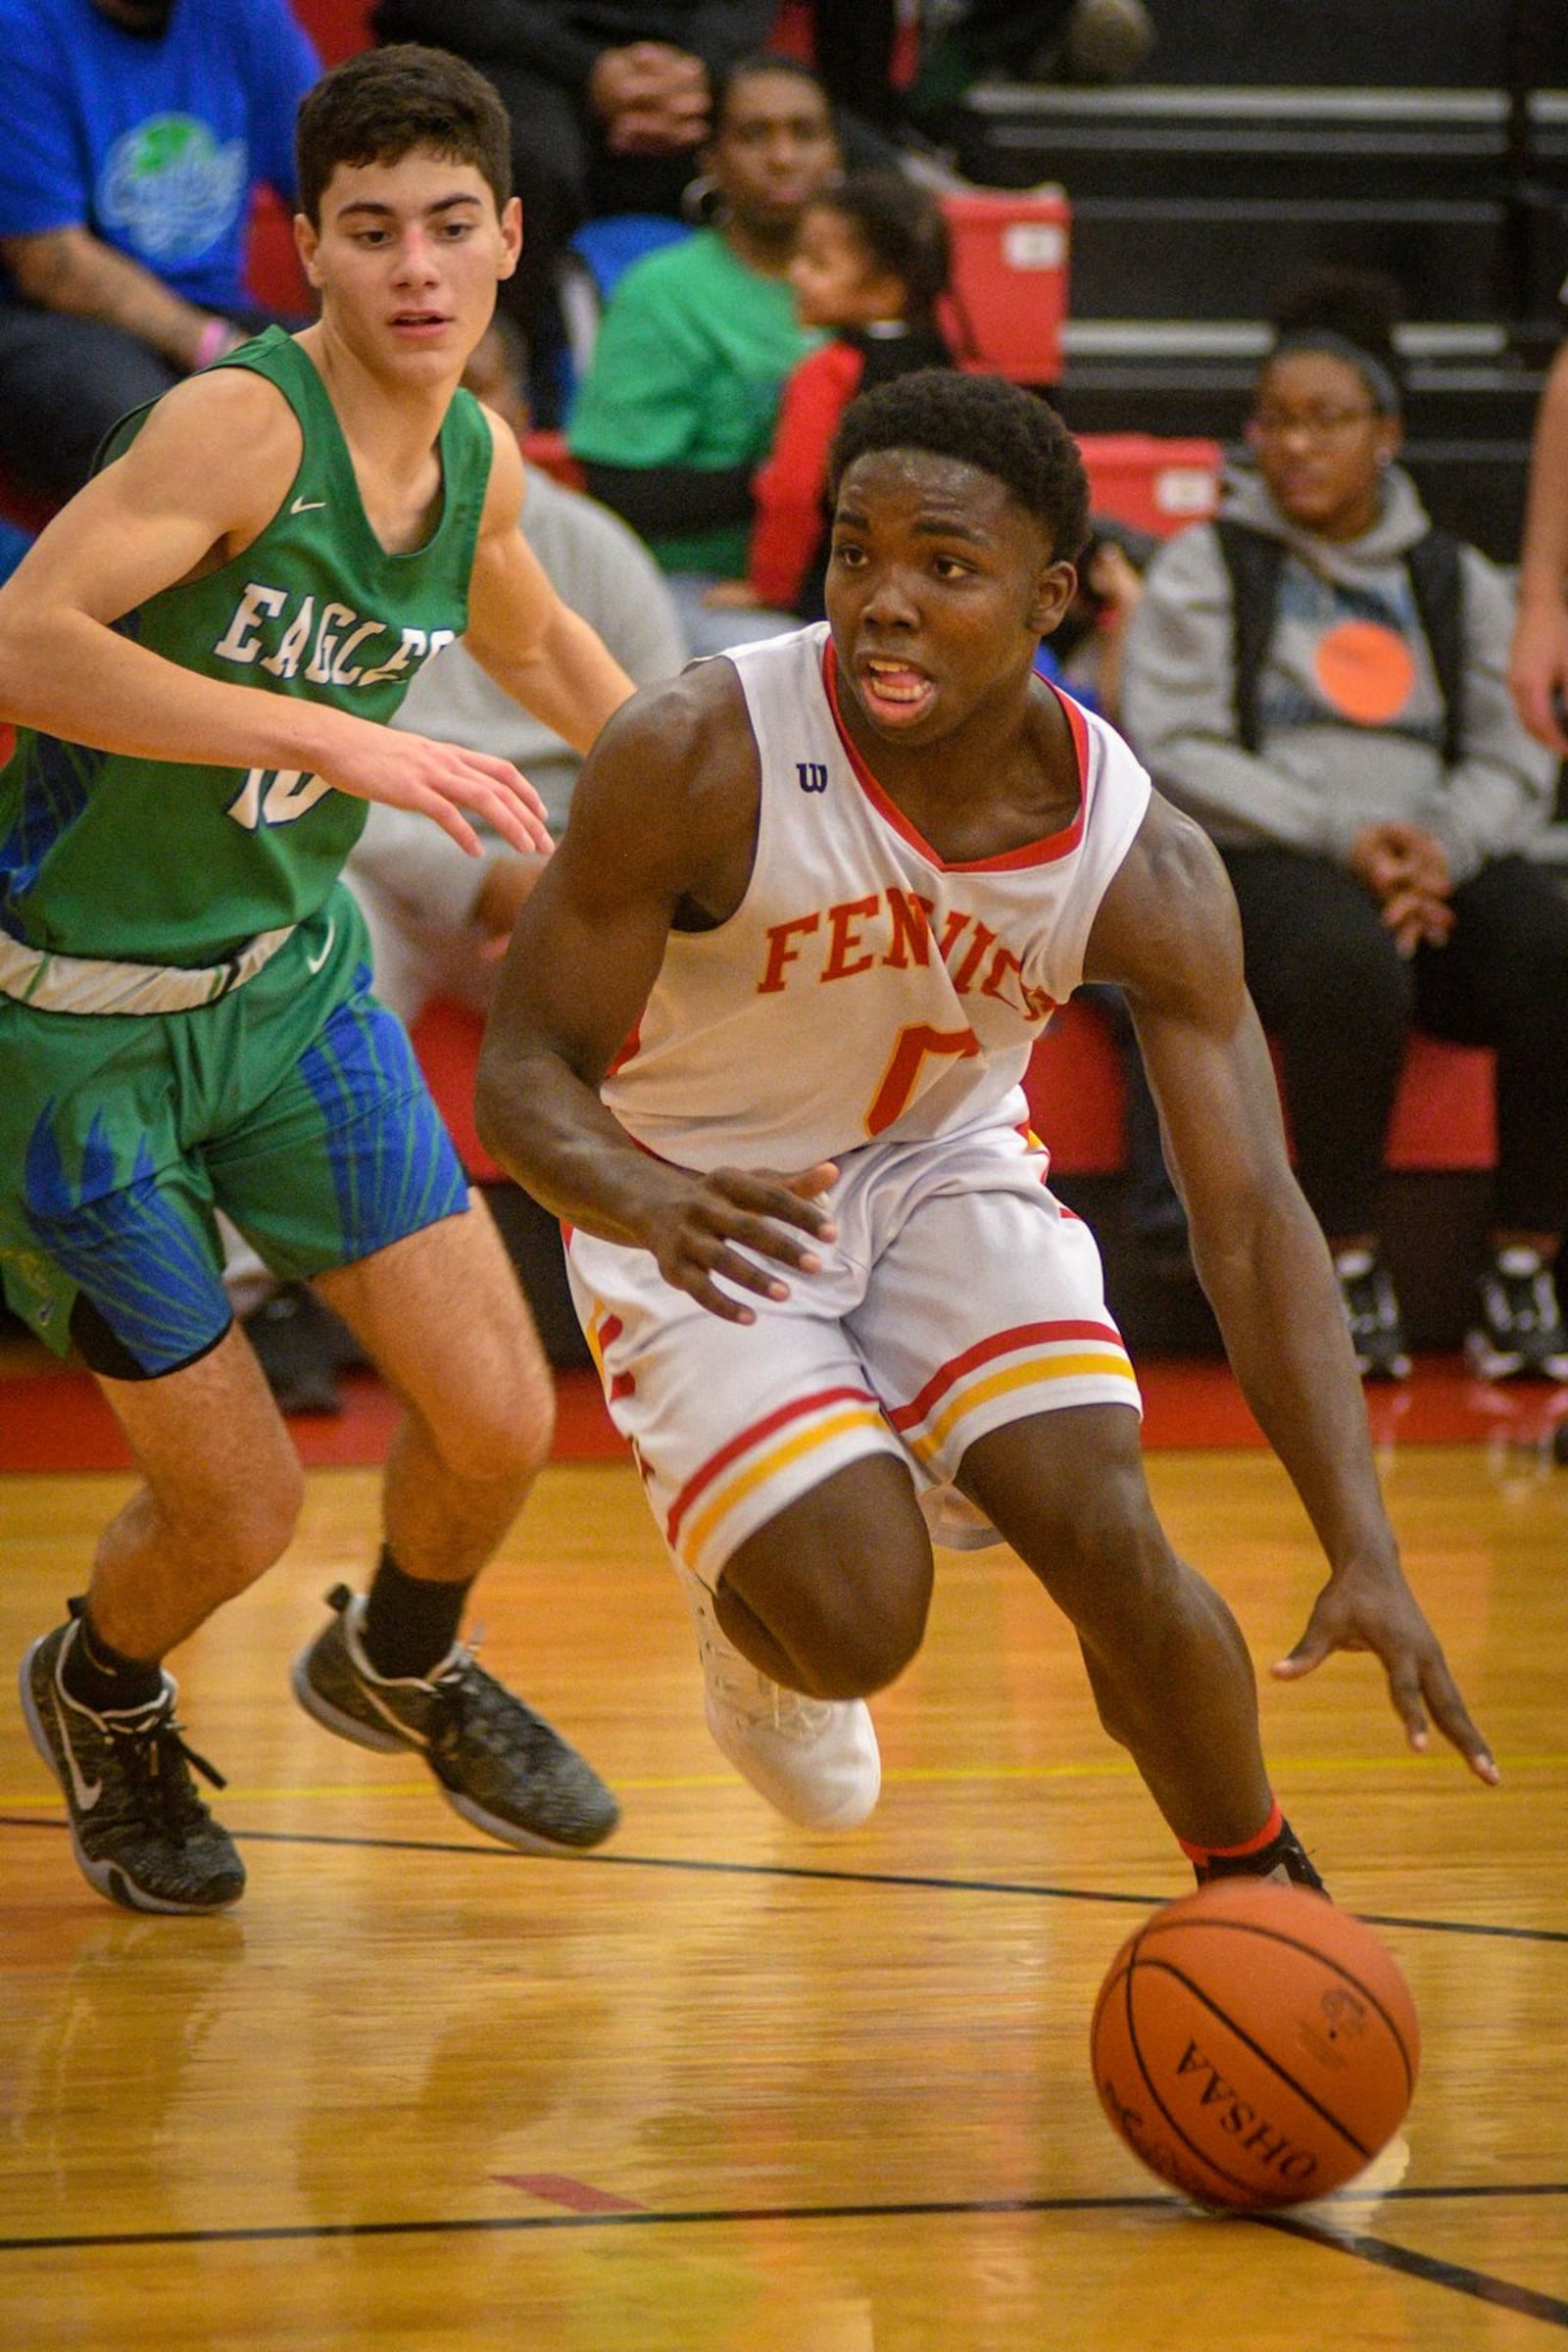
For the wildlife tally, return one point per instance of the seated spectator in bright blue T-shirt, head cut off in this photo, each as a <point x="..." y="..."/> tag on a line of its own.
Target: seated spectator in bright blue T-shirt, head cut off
<point x="138" y="133"/>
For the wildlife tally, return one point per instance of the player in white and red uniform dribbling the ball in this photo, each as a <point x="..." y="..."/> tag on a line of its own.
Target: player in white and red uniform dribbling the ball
<point x="760" y="1043"/>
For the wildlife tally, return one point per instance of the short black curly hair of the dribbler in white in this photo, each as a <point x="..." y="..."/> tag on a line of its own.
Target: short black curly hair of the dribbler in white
<point x="986" y="422"/>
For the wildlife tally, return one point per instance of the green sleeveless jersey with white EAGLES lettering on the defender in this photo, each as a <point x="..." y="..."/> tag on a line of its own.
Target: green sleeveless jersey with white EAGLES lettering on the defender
<point x="175" y="864"/>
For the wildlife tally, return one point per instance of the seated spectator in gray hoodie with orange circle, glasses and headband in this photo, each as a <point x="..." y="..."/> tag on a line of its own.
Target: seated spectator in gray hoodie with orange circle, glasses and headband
<point x="1320" y="679"/>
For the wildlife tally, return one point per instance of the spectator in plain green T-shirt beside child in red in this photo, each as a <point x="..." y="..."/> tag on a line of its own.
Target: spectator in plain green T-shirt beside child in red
<point x="683" y="394"/>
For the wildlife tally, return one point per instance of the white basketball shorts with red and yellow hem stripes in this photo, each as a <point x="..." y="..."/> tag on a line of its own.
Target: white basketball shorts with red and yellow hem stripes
<point x="958" y="1297"/>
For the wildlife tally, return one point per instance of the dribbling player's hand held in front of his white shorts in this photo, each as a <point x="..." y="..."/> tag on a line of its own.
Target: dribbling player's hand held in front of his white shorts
<point x="721" y="1224"/>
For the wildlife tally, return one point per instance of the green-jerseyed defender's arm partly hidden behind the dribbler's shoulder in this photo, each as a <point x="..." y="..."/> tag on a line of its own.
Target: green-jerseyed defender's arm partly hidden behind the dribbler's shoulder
<point x="537" y="650"/>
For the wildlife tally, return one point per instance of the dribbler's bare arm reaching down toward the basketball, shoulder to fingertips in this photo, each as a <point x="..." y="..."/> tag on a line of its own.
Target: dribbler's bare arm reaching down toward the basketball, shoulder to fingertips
<point x="1172" y="940"/>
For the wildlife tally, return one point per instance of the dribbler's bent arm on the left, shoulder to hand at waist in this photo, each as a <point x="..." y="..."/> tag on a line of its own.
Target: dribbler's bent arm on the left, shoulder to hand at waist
<point x="662" y="831"/>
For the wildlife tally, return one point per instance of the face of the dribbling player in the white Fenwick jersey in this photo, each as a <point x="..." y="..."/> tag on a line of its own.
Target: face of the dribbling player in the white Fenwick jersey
<point x="939" y="592"/>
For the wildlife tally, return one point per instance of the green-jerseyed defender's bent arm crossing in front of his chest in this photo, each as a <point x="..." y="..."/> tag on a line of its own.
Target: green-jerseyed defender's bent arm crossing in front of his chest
<point x="201" y="483"/>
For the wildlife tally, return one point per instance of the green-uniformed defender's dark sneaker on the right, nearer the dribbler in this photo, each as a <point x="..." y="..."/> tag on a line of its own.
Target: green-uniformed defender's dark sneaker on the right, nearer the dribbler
<point x="497" y="1763"/>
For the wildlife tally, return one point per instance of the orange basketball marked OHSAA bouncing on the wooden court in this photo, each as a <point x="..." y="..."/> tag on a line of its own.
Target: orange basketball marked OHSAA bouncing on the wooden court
<point x="1254" y="2045"/>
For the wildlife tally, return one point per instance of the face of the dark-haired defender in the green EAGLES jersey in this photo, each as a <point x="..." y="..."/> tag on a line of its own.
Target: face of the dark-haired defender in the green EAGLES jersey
<point x="408" y="260"/>
